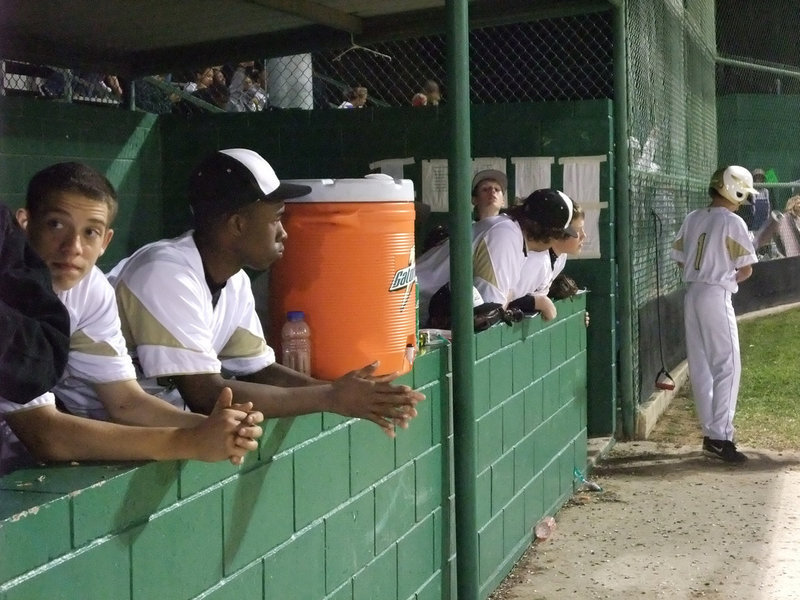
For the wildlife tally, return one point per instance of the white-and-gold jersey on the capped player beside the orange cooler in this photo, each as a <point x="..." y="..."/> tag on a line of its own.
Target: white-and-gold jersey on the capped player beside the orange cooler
<point x="170" y="321"/>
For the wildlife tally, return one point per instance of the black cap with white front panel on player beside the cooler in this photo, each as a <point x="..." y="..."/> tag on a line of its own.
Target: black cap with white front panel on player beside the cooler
<point x="228" y="180"/>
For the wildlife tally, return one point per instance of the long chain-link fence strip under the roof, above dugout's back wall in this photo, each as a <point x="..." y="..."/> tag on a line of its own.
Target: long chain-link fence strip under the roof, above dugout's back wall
<point x="567" y="58"/>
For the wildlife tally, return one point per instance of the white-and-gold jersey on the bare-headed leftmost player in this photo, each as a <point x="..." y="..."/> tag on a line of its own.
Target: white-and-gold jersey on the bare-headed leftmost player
<point x="97" y="351"/>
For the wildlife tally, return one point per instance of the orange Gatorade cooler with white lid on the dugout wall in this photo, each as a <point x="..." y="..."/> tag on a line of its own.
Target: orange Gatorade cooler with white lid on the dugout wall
<point x="348" y="265"/>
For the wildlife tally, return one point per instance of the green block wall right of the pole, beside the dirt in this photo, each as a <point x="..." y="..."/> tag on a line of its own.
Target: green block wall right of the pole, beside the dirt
<point x="531" y="396"/>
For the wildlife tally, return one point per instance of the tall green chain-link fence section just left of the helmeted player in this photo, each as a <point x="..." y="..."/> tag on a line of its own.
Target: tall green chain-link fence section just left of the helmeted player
<point x="672" y="145"/>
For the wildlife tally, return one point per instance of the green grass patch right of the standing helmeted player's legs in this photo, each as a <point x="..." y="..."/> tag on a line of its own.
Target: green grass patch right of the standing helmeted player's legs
<point x="768" y="411"/>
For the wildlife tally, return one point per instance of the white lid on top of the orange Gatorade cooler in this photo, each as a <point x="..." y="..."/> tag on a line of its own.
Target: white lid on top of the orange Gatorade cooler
<point x="375" y="187"/>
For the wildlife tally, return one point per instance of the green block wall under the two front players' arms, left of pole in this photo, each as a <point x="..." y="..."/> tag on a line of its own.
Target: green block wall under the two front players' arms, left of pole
<point x="328" y="508"/>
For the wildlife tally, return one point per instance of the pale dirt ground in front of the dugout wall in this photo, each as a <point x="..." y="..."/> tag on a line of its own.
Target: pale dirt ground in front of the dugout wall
<point x="670" y="523"/>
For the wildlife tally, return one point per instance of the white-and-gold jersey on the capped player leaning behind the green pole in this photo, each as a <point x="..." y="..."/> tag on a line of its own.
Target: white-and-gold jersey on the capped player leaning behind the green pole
<point x="498" y="256"/>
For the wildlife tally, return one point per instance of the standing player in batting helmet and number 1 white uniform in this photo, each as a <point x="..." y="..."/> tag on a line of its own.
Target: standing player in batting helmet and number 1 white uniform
<point x="715" y="252"/>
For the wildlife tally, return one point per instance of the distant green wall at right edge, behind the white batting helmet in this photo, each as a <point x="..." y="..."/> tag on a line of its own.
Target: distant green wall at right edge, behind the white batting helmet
<point x="761" y="130"/>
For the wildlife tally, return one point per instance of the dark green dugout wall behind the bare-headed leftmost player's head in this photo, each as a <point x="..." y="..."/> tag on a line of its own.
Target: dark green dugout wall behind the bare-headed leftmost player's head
<point x="123" y="145"/>
